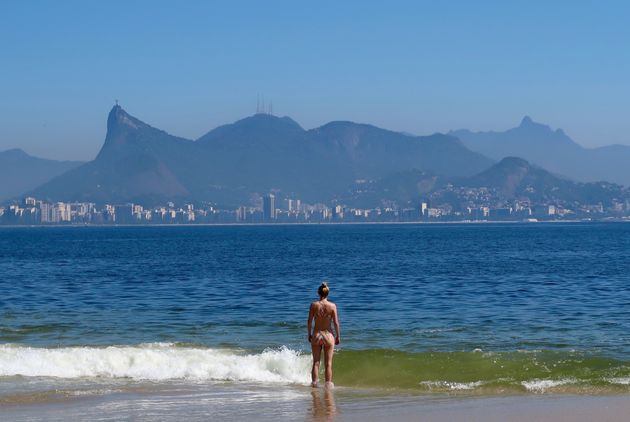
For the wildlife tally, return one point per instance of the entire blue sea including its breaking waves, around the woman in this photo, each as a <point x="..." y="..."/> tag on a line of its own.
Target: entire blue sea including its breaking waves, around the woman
<point x="433" y="309"/>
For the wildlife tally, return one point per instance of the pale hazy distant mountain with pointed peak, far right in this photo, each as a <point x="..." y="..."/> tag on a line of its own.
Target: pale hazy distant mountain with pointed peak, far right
<point x="552" y="150"/>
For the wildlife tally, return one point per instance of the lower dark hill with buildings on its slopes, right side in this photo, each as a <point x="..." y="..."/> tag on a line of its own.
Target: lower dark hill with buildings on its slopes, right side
<point x="510" y="179"/>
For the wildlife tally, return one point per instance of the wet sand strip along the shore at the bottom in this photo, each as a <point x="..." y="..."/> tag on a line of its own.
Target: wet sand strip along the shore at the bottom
<point x="255" y="402"/>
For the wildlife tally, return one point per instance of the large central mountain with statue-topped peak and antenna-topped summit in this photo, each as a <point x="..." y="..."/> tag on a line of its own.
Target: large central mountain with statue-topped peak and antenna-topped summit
<point x="255" y="155"/>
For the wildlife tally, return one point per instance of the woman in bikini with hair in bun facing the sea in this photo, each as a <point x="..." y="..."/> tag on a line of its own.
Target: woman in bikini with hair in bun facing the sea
<point x="321" y="337"/>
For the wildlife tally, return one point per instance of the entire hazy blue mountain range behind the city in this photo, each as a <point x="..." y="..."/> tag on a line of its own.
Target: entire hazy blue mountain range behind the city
<point x="234" y="163"/>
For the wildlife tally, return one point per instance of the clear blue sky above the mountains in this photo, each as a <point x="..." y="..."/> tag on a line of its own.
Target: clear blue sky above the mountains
<point x="419" y="67"/>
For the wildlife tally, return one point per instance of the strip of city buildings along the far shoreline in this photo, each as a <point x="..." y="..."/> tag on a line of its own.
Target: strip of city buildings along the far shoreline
<point x="32" y="211"/>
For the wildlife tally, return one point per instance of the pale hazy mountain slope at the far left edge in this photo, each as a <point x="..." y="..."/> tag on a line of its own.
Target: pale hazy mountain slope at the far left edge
<point x="20" y="172"/>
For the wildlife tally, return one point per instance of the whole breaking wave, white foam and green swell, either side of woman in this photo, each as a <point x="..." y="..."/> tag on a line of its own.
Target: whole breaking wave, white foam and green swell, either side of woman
<point x="472" y="372"/>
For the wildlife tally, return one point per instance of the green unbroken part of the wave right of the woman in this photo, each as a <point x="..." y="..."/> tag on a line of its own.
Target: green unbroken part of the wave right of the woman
<point x="487" y="372"/>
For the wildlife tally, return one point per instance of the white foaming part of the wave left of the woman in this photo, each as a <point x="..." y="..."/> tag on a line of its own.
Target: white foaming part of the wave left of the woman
<point x="155" y="361"/>
